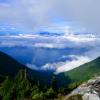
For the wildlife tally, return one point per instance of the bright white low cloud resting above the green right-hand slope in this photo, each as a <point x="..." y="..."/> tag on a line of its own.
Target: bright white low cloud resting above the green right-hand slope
<point x="67" y="65"/>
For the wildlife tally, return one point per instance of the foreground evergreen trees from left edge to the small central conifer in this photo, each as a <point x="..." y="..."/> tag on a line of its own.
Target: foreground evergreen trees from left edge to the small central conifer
<point x="21" y="88"/>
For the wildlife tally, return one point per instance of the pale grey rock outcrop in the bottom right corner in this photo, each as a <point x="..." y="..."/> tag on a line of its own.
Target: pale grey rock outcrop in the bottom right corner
<point x="89" y="90"/>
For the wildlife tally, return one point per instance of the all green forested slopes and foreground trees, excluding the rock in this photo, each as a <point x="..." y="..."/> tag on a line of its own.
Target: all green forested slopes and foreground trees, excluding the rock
<point x="23" y="86"/>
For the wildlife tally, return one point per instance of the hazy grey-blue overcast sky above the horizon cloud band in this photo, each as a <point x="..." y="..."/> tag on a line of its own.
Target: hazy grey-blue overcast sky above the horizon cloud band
<point x="33" y="15"/>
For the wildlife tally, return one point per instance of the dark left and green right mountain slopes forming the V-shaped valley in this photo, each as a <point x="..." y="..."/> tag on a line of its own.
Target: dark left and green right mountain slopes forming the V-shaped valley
<point x="9" y="66"/>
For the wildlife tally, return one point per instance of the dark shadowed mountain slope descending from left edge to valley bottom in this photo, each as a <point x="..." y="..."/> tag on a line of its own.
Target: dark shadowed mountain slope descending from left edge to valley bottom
<point x="10" y="67"/>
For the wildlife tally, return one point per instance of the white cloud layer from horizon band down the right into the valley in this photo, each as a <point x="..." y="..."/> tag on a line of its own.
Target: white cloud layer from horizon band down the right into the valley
<point x="90" y="42"/>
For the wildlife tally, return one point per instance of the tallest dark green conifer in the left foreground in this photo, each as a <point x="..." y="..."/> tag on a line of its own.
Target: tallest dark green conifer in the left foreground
<point x="22" y="85"/>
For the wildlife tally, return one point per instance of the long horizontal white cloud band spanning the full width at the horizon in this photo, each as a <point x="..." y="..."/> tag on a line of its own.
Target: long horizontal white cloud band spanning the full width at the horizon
<point x="50" y="41"/>
